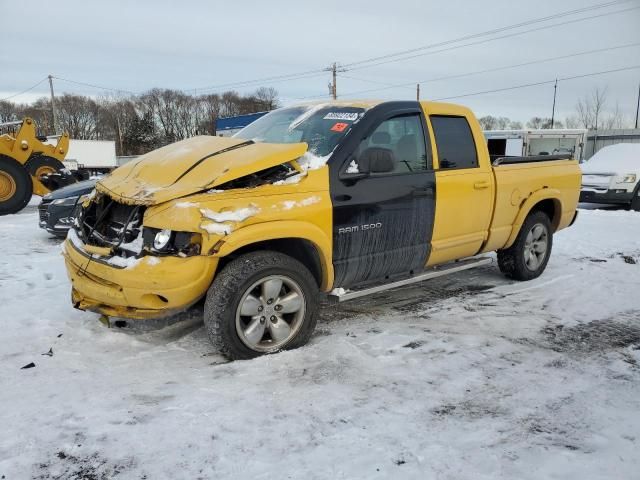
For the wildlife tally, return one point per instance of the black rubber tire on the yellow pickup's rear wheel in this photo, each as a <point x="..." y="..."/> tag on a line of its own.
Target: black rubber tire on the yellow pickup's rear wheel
<point x="513" y="261"/>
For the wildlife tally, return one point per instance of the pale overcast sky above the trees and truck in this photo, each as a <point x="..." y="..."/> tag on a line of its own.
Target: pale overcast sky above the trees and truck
<point x="135" y="46"/>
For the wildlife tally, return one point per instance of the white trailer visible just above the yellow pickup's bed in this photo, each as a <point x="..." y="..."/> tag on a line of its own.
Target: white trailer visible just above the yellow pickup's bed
<point x="514" y="143"/>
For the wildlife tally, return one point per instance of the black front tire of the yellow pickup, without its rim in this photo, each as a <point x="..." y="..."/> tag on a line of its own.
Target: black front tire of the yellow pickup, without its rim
<point x="232" y="284"/>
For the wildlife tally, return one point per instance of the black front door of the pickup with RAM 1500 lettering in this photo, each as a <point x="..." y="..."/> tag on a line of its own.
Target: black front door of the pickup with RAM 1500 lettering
<point x="382" y="221"/>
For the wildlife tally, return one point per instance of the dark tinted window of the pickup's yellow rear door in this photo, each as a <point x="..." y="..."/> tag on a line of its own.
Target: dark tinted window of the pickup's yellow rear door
<point x="454" y="140"/>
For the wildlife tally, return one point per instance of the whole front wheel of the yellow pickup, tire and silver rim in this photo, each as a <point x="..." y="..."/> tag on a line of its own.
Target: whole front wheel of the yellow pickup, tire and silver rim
<point x="261" y="302"/>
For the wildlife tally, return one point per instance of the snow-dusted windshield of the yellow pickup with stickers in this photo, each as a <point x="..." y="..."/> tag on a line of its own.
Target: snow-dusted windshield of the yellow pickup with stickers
<point x="320" y="126"/>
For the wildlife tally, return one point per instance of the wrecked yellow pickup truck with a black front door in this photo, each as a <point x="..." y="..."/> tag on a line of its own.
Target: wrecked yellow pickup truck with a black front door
<point x="345" y="198"/>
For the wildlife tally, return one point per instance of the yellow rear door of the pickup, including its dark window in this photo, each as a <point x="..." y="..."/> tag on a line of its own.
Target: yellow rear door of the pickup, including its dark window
<point x="465" y="190"/>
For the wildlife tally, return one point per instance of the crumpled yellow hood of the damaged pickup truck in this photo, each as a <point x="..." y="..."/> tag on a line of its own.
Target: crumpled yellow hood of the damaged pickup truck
<point x="191" y="166"/>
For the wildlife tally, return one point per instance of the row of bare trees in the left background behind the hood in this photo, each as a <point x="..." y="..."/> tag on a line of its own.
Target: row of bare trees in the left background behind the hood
<point x="140" y="123"/>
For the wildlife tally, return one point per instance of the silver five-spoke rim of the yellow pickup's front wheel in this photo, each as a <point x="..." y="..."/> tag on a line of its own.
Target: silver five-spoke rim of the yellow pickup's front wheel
<point x="270" y="313"/>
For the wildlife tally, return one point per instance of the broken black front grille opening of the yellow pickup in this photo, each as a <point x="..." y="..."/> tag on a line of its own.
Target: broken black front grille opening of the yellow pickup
<point x="107" y="223"/>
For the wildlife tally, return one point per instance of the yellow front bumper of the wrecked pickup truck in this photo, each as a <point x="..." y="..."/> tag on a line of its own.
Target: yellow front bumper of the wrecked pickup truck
<point x="148" y="289"/>
